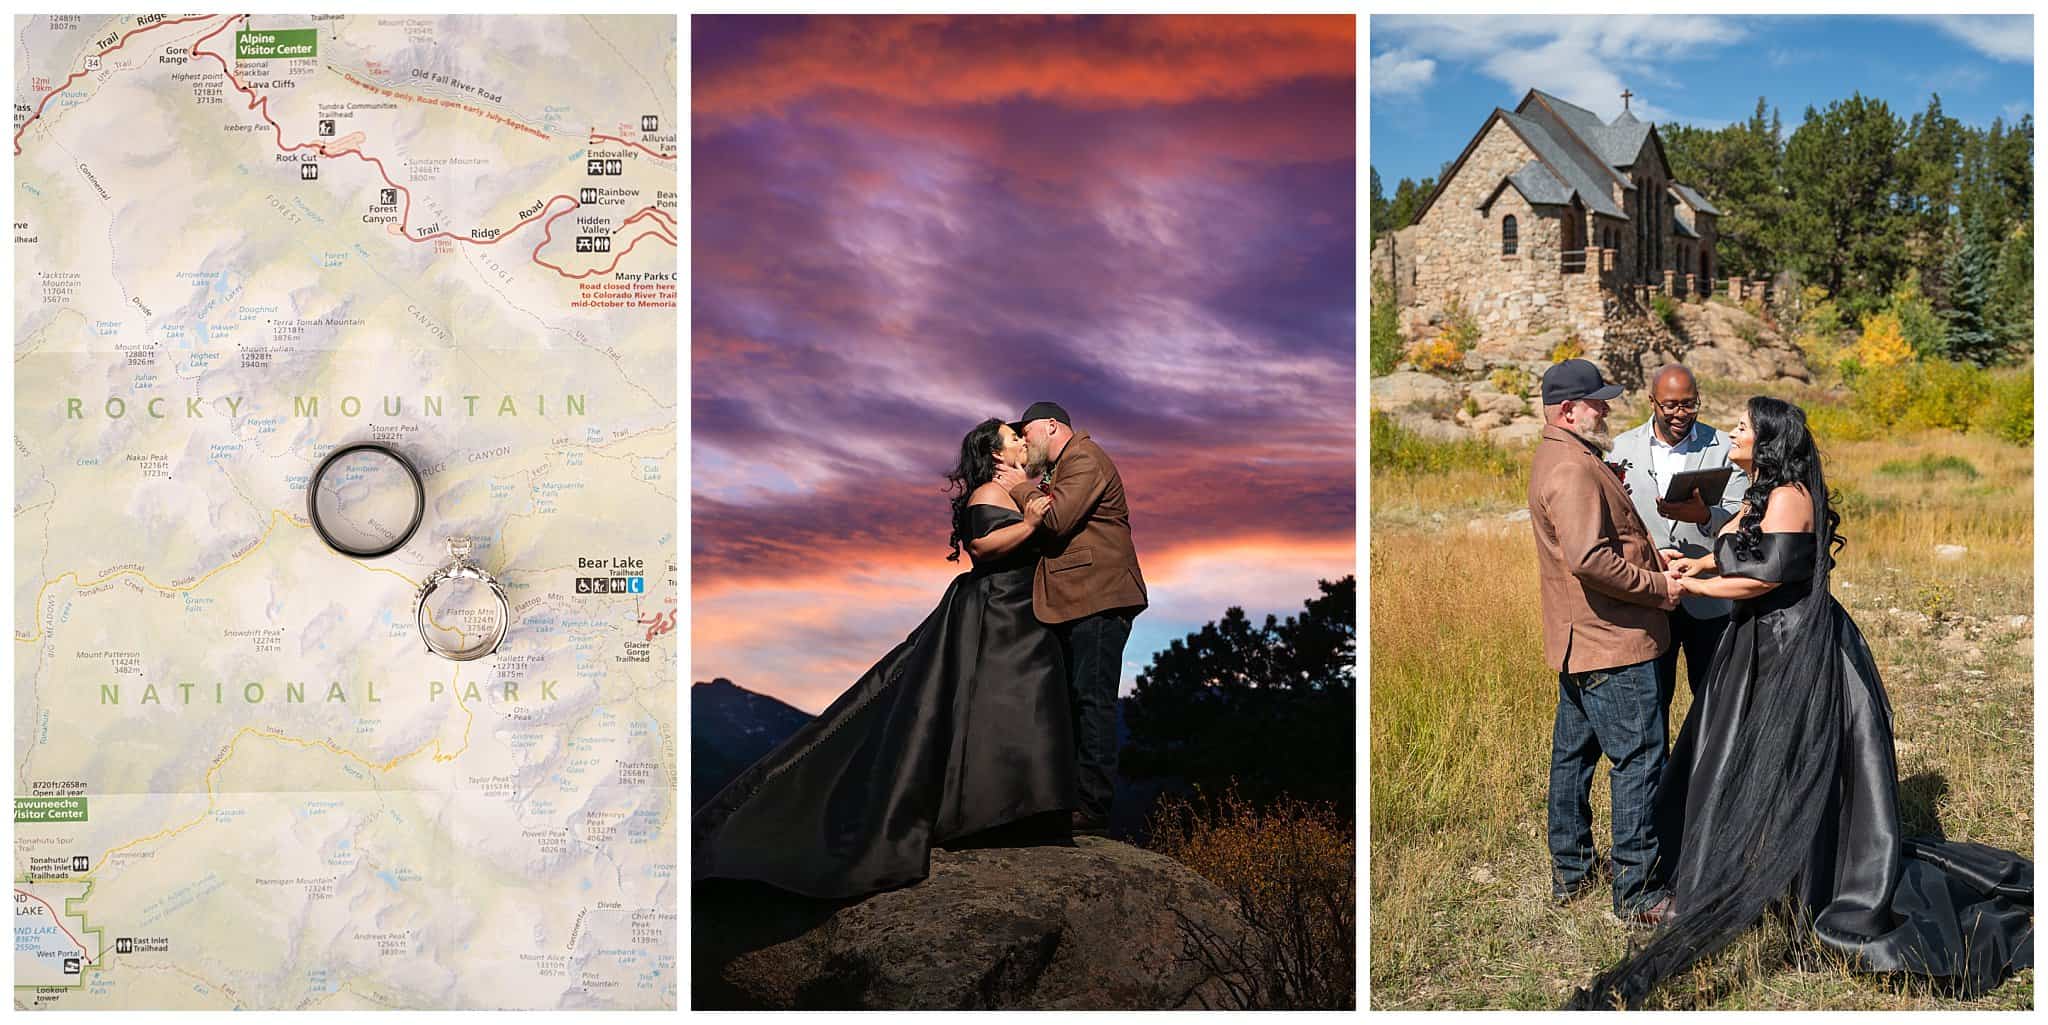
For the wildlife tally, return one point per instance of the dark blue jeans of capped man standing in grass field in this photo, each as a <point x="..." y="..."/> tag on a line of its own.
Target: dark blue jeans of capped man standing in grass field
<point x="1621" y="714"/>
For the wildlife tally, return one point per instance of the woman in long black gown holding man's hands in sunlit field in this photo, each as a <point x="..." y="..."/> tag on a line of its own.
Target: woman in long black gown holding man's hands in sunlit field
<point x="1783" y="788"/>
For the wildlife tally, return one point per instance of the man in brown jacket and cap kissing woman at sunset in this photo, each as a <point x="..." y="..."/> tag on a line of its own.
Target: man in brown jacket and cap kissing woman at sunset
<point x="1089" y="587"/>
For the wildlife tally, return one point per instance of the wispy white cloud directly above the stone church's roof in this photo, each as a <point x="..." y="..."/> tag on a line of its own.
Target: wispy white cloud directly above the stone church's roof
<point x="1586" y="60"/>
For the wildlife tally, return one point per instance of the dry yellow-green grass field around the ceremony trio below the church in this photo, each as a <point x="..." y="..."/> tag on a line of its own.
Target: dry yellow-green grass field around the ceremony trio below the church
<point x="1461" y="716"/>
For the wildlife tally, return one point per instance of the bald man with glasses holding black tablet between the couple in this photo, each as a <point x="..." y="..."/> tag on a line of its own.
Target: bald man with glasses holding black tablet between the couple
<point x="1687" y="491"/>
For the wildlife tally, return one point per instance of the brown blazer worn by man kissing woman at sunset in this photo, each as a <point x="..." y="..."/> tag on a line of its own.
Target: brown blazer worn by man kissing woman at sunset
<point x="1089" y="563"/>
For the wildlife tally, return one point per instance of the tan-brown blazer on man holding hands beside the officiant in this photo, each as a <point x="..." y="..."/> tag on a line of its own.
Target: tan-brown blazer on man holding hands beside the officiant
<point x="1596" y="567"/>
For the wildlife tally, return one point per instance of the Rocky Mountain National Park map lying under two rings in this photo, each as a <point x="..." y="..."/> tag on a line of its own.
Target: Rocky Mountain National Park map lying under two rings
<point x="243" y="243"/>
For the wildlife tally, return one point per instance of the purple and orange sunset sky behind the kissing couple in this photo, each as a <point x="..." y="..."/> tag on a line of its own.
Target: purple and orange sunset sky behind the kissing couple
<point x="908" y="224"/>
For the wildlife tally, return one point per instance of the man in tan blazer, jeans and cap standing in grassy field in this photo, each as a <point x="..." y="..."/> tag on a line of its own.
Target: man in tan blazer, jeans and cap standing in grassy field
<point x="1605" y="602"/>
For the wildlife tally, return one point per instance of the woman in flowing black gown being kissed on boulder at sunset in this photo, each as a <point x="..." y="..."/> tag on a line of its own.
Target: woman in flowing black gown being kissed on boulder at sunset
<point x="957" y="731"/>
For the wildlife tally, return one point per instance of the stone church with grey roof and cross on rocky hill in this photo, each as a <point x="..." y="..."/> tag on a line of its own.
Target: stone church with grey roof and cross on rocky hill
<point x="1551" y="224"/>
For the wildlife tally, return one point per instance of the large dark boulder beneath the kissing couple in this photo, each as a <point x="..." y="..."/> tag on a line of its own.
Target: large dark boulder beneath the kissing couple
<point x="1099" y="926"/>
